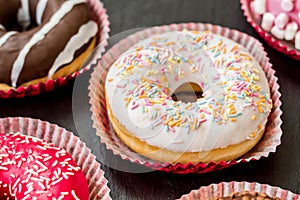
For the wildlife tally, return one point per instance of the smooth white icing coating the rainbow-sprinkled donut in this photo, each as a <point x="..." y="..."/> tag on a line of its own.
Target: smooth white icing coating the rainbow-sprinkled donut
<point x="122" y="80"/>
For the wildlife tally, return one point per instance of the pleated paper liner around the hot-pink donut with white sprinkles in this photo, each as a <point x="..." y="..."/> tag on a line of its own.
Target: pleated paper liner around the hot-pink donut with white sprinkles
<point x="67" y="140"/>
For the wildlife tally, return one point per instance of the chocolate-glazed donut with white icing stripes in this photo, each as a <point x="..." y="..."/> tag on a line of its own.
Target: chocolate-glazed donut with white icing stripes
<point x="42" y="40"/>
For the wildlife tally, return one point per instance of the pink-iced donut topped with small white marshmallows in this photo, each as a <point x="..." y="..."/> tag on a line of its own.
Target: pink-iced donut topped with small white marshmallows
<point x="280" y="18"/>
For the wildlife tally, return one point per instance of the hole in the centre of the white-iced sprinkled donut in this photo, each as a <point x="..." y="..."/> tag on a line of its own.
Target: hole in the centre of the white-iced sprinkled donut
<point x="187" y="92"/>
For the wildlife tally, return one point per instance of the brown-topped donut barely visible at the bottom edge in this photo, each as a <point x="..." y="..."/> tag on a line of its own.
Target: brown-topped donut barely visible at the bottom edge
<point x="248" y="196"/>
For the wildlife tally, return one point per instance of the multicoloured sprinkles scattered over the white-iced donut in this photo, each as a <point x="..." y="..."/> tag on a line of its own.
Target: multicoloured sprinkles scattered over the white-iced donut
<point x="237" y="80"/>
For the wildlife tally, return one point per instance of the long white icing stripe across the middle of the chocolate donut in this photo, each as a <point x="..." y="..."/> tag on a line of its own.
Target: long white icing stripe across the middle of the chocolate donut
<point x="40" y="35"/>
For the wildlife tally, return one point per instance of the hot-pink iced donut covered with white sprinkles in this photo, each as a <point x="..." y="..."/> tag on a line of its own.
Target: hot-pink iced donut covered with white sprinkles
<point x="31" y="168"/>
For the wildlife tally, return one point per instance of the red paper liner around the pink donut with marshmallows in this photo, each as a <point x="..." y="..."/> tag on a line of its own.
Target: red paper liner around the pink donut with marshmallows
<point x="279" y="45"/>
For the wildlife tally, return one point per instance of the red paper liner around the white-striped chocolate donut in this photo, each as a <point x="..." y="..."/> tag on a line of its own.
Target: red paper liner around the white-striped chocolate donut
<point x="100" y="15"/>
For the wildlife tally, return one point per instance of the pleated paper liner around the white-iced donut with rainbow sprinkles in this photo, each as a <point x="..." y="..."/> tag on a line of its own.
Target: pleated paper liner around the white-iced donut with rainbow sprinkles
<point x="267" y="144"/>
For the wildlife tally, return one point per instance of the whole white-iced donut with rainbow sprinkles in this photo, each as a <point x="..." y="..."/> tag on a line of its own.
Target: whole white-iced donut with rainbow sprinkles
<point x="224" y="120"/>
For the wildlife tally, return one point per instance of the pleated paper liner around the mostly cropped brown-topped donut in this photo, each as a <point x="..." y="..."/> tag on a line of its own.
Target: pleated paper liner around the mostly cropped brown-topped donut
<point x="223" y="189"/>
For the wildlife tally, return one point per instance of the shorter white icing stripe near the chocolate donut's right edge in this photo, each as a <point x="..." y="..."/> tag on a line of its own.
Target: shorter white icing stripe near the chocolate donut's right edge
<point x="85" y="33"/>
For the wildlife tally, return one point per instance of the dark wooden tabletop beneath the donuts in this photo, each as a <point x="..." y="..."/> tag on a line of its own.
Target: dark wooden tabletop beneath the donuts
<point x="72" y="112"/>
